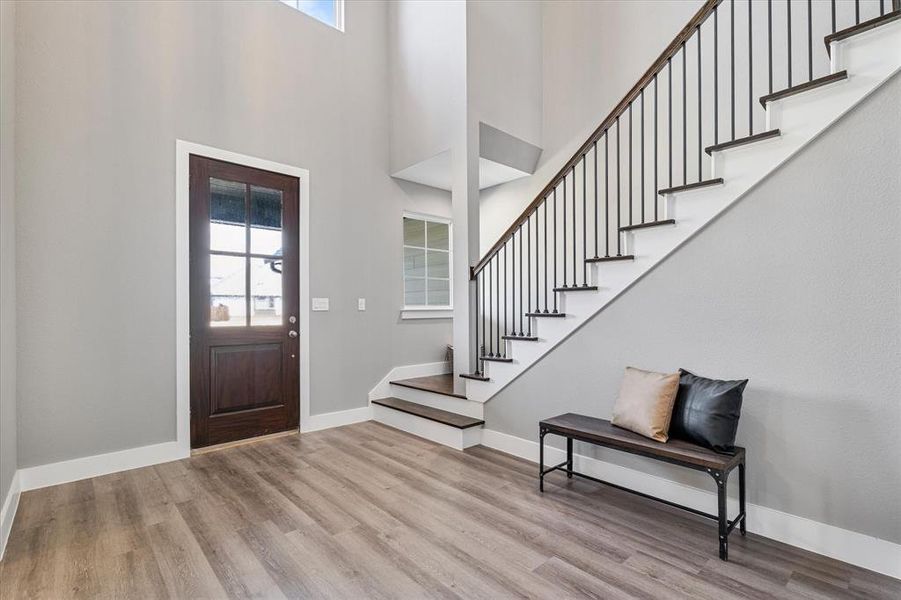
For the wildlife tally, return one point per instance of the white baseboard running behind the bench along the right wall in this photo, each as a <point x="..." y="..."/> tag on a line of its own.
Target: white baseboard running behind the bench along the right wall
<point x="855" y="548"/>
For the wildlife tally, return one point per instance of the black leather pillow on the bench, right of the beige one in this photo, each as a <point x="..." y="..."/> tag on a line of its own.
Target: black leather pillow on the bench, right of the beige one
<point x="706" y="411"/>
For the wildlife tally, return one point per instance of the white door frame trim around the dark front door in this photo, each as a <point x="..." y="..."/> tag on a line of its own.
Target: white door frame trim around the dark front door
<point x="183" y="150"/>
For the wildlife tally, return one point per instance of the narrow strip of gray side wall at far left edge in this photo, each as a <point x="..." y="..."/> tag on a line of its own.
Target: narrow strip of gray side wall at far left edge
<point x="7" y="248"/>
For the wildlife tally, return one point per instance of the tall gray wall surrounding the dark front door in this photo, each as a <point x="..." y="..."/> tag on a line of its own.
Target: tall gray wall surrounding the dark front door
<point x="104" y="90"/>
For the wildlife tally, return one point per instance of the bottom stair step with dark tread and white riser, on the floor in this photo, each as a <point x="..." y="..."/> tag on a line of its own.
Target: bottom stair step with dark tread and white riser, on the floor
<point x="441" y="426"/>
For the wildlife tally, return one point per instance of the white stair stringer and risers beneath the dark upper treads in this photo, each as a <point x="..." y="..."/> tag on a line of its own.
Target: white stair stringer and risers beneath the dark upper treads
<point x="871" y="59"/>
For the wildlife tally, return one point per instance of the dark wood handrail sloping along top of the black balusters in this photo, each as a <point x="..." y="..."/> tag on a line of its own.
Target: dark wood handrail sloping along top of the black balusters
<point x="705" y="11"/>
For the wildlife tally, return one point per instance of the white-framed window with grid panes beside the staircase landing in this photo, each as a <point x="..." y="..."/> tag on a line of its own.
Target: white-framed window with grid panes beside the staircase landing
<point x="427" y="262"/>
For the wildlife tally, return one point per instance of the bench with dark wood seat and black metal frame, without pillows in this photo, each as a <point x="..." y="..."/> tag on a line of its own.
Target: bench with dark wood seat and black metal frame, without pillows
<point x="720" y="476"/>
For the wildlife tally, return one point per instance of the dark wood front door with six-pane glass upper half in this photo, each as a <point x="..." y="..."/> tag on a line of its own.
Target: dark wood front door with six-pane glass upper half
<point x="244" y="302"/>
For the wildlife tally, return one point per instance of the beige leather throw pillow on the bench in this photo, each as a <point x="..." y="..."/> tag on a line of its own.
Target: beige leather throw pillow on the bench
<point x="645" y="403"/>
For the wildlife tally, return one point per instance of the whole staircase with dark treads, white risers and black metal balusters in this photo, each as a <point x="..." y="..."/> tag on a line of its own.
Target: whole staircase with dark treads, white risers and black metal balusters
<point x="715" y="114"/>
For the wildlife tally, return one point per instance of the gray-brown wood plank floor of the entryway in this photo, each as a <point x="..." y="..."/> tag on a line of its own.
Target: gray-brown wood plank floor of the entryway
<point x="366" y="511"/>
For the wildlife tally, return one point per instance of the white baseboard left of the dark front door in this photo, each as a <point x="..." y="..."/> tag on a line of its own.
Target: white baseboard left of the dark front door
<point x="32" y="478"/>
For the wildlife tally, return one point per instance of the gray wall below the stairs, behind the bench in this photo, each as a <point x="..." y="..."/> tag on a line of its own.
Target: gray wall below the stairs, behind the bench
<point x="797" y="288"/>
